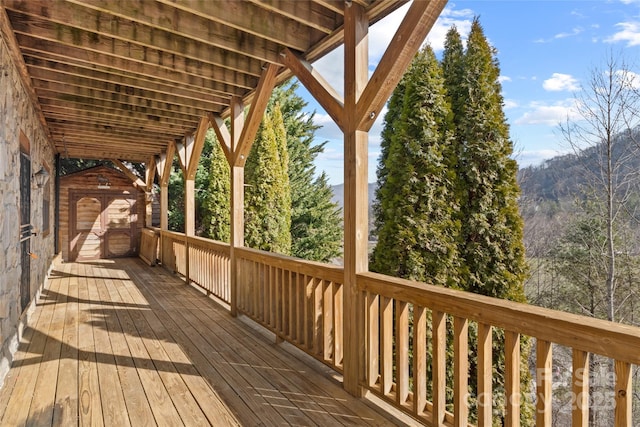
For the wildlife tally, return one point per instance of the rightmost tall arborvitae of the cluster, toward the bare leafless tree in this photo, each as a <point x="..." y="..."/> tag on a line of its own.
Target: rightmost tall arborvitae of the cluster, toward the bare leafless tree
<point x="491" y="249"/>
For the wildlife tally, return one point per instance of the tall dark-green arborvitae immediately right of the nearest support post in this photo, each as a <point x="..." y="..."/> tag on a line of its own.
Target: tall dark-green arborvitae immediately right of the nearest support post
<point x="417" y="237"/>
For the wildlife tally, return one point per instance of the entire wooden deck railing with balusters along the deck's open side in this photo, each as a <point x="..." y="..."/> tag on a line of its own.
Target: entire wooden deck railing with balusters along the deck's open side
<point x="409" y="327"/>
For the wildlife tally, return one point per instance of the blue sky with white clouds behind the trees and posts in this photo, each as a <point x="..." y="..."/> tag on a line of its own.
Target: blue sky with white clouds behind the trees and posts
<point x="546" y="50"/>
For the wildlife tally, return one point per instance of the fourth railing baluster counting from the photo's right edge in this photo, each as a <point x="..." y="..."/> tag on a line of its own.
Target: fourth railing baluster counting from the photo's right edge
<point x="512" y="378"/>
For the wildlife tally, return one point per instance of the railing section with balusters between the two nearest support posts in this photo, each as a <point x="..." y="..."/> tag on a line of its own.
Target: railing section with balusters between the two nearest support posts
<point x="300" y="301"/>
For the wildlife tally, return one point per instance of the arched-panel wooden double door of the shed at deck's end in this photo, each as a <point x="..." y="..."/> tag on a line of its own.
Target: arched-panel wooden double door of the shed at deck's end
<point x="103" y="226"/>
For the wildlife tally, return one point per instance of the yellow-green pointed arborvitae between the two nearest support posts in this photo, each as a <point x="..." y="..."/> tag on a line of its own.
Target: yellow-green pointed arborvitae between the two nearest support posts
<point x="267" y="195"/>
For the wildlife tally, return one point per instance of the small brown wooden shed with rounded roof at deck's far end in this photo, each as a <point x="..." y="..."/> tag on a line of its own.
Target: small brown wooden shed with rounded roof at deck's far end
<point x="102" y="214"/>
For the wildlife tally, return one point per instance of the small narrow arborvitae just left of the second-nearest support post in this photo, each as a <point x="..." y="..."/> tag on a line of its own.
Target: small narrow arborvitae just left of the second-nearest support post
<point x="216" y="204"/>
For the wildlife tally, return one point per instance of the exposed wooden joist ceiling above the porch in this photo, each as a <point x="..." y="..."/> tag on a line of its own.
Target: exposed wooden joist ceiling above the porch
<point x="122" y="78"/>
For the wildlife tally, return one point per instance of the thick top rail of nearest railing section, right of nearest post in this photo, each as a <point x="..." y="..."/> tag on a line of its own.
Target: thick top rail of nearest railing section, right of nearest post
<point x="615" y="340"/>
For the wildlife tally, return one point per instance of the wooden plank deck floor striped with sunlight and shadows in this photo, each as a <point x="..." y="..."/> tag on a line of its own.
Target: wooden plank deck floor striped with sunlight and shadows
<point x="119" y="343"/>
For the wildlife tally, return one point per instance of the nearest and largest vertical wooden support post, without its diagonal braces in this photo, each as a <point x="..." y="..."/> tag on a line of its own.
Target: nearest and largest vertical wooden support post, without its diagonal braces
<point x="355" y="196"/>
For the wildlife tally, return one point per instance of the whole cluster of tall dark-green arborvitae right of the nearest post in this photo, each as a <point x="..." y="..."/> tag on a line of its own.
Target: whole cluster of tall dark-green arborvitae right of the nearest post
<point x="447" y="208"/>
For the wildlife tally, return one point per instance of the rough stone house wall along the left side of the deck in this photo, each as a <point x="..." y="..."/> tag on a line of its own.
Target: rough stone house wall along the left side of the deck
<point x="17" y="115"/>
